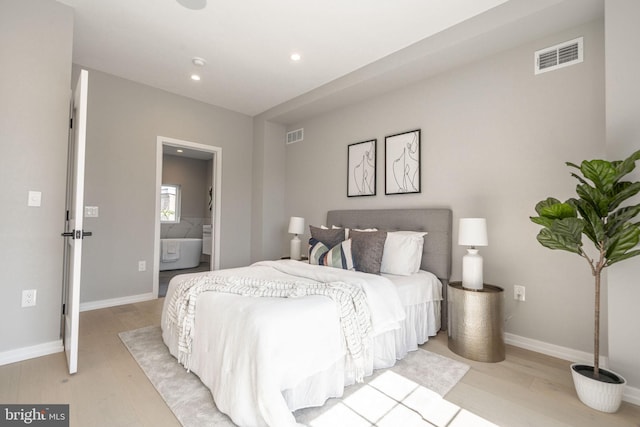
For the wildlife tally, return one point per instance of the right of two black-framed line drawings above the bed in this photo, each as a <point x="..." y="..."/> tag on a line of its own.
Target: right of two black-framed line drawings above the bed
<point x="402" y="163"/>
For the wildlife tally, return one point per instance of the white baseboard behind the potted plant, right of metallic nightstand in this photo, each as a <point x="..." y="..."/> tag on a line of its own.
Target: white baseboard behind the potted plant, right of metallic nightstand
<point x="630" y="394"/>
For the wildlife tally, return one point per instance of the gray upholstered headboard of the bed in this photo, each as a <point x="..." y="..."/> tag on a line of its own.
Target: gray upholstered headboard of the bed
<point x="436" y="255"/>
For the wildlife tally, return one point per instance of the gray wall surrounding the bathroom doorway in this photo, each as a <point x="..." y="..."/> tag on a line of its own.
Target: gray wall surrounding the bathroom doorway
<point x="125" y="118"/>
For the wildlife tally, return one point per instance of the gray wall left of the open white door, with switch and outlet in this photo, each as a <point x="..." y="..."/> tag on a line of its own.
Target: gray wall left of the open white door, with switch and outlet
<point x="35" y="79"/>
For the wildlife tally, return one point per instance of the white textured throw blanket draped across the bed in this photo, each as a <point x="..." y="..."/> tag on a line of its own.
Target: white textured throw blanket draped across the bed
<point x="350" y="301"/>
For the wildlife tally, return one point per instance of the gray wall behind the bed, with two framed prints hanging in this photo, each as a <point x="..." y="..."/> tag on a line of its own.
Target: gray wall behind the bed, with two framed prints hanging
<point x="494" y="141"/>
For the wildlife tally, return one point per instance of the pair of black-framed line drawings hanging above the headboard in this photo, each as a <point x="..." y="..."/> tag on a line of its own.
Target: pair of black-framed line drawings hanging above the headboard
<point x="401" y="165"/>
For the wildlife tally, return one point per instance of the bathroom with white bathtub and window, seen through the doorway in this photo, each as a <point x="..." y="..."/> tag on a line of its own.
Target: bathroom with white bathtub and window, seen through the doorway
<point x="186" y="214"/>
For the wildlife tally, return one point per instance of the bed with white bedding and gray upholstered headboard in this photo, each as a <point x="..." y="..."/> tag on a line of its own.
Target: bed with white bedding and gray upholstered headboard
<point x="263" y="358"/>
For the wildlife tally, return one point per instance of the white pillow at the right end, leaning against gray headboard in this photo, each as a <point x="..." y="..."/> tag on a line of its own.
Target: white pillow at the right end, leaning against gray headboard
<point x="402" y="252"/>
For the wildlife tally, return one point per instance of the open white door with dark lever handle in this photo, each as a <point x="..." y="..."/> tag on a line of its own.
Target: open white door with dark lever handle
<point x="73" y="227"/>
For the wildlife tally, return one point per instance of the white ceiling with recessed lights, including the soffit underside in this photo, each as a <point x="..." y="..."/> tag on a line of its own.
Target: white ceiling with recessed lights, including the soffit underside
<point x="247" y="44"/>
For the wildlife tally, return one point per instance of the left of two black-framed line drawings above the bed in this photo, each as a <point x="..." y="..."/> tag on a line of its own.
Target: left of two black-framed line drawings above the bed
<point x="361" y="168"/>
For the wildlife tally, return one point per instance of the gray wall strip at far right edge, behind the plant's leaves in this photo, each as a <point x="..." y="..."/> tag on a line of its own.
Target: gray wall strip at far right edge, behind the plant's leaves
<point x="623" y="138"/>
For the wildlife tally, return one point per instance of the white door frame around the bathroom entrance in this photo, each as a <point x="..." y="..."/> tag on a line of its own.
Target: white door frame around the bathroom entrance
<point x="190" y="150"/>
